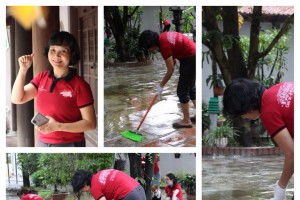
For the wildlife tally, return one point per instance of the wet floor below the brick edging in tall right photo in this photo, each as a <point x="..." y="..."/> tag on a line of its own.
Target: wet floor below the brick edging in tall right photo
<point x="242" y="178"/>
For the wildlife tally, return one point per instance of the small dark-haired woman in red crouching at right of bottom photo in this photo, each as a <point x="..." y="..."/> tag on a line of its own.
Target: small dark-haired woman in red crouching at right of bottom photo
<point x="173" y="189"/>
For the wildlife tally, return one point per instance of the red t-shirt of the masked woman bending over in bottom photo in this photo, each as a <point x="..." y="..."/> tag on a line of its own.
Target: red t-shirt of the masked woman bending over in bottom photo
<point x="113" y="184"/>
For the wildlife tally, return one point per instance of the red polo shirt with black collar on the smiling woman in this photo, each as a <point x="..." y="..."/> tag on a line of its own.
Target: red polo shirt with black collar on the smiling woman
<point x="62" y="102"/>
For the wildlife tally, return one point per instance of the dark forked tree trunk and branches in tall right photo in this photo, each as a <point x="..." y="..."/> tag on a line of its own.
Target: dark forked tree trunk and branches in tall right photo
<point x="224" y="44"/>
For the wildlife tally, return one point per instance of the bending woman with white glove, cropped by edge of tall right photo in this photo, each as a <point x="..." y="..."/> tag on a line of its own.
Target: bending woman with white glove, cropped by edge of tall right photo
<point x="248" y="99"/>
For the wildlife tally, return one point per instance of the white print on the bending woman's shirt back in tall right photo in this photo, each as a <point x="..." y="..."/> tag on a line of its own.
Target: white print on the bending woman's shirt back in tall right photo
<point x="285" y="93"/>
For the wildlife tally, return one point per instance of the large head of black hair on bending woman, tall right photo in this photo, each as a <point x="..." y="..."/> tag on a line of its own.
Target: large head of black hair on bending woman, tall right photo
<point x="242" y="96"/>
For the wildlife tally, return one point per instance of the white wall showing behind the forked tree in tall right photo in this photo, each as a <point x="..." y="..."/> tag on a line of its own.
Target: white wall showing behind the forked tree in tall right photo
<point x="245" y="30"/>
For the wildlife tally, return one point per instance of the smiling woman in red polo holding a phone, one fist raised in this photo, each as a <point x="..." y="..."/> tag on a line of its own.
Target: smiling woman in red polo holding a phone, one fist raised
<point x="62" y="96"/>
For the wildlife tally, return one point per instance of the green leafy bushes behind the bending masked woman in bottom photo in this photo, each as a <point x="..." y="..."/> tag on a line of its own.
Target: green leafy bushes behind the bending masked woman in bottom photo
<point x="56" y="169"/>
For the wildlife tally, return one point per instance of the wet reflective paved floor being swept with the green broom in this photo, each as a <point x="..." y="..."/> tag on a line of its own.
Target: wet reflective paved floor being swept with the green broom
<point x="128" y="92"/>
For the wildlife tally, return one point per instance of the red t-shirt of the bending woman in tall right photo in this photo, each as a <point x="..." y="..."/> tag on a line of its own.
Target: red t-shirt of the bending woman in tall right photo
<point x="277" y="108"/>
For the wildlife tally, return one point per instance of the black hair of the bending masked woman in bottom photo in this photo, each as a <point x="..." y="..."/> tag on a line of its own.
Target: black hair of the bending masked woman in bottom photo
<point x="80" y="179"/>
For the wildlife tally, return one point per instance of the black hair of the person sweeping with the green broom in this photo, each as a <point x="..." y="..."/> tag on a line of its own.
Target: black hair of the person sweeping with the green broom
<point x="148" y="39"/>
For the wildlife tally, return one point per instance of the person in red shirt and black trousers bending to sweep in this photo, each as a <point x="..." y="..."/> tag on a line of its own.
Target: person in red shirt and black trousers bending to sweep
<point x="174" y="45"/>
